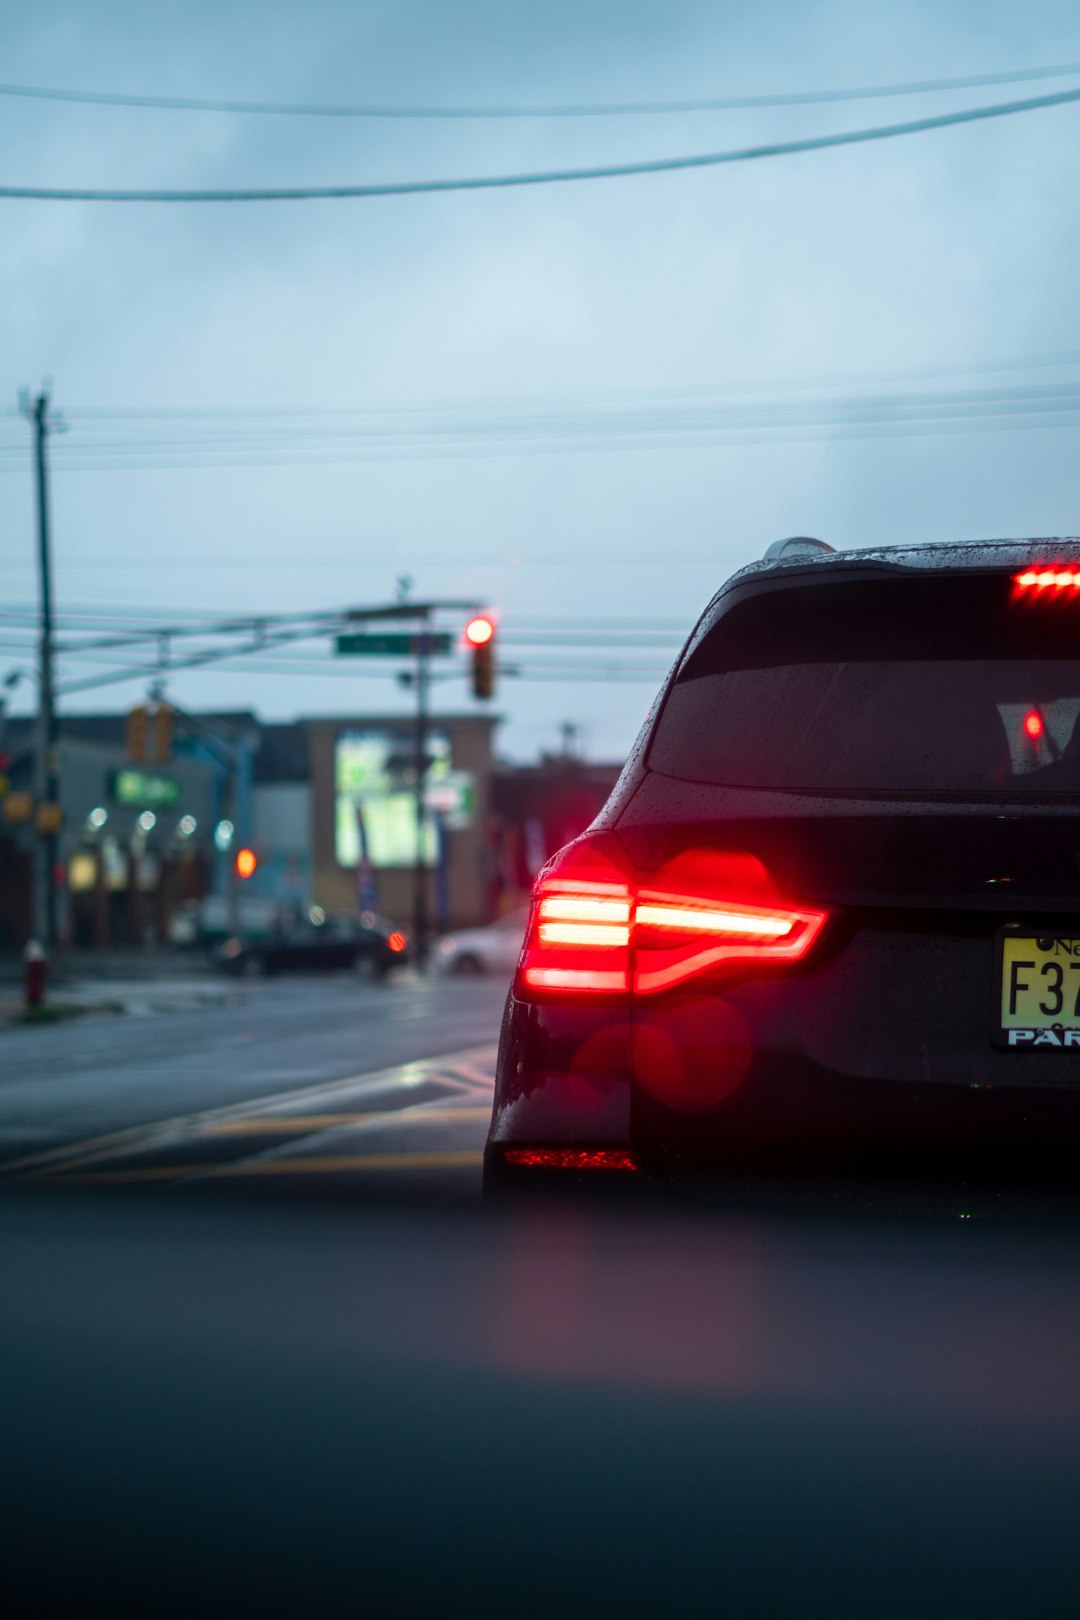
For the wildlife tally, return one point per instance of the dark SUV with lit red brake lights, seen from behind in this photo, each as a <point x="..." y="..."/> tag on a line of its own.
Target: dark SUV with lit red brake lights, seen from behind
<point x="835" y="898"/>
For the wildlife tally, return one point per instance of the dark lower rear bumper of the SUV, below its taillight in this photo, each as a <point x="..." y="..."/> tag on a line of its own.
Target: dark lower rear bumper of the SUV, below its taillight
<point x="595" y="1078"/>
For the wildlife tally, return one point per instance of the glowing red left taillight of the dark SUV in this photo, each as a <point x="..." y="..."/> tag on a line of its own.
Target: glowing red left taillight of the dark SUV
<point x="597" y="929"/>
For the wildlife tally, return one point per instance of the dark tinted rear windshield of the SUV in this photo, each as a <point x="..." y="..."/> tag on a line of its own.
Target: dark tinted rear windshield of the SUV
<point x="891" y="686"/>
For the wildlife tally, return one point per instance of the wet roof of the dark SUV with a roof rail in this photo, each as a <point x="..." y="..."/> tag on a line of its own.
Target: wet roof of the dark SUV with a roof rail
<point x="804" y="556"/>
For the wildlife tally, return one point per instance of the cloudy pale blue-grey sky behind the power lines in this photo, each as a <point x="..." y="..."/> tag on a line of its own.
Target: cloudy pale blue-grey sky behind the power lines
<point x="948" y="250"/>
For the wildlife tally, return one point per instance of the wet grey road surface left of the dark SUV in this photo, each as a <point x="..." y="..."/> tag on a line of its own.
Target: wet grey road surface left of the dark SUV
<point x="291" y="1080"/>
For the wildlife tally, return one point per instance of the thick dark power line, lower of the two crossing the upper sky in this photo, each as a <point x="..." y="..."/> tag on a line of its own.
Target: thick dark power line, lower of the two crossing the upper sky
<point x="742" y="155"/>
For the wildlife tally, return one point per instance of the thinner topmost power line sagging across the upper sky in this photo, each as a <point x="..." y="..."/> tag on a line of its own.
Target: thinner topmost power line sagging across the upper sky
<point x="535" y="109"/>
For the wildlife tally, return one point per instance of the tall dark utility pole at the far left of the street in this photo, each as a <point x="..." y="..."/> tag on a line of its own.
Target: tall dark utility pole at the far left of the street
<point x="46" y="777"/>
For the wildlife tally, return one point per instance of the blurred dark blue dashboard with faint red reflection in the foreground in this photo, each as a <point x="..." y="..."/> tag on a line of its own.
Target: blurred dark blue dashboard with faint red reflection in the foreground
<point x="229" y="1409"/>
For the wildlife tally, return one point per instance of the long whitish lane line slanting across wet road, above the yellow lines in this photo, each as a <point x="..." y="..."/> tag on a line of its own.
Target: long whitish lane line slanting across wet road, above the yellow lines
<point x="414" y="1073"/>
